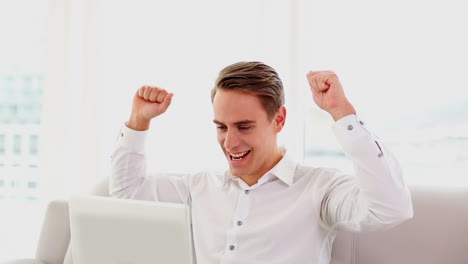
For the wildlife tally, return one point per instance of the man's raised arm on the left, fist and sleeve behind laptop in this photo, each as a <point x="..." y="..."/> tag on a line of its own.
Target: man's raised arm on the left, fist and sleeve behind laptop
<point x="129" y="178"/>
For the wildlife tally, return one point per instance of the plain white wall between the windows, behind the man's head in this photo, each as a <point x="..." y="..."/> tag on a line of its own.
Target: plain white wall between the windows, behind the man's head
<point x="114" y="47"/>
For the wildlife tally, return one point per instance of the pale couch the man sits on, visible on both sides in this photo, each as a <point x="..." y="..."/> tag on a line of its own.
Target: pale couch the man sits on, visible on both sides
<point x="438" y="233"/>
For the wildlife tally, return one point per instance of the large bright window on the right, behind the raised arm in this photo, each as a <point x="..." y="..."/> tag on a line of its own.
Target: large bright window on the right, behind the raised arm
<point x="402" y="65"/>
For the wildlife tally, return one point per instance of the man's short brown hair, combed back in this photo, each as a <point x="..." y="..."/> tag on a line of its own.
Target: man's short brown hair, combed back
<point x="255" y="78"/>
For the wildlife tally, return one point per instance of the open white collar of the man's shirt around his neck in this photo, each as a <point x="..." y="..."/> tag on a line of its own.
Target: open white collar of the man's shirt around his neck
<point x="283" y="170"/>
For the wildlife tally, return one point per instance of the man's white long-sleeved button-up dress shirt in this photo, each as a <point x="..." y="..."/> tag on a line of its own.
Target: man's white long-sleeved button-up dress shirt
<point x="290" y="216"/>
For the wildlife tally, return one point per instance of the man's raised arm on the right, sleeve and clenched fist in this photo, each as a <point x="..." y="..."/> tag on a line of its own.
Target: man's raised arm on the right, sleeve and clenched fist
<point x="376" y="197"/>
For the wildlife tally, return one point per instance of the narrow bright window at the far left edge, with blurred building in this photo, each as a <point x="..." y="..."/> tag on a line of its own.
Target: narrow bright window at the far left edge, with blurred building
<point x="22" y="65"/>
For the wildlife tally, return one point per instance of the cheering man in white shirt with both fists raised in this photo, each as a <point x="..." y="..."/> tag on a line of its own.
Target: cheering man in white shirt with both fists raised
<point x="266" y="208"/>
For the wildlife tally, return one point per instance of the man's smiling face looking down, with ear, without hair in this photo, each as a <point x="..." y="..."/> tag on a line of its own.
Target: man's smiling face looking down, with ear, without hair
<point x="245" y="133"/>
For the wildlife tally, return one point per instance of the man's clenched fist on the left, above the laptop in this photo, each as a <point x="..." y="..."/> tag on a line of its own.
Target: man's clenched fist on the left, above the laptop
<point x="148" y="102"/>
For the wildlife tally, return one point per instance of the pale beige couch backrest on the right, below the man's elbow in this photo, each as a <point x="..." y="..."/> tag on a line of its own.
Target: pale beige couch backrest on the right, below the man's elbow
<point x="437" y="234"/>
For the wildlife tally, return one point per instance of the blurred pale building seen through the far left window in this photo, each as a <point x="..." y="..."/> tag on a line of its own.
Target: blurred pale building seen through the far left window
<point x="20" y="118"/>
